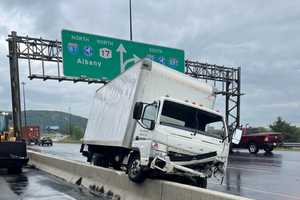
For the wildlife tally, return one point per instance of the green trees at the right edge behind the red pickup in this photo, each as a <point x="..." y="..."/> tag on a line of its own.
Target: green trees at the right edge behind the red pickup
<point x="291" y="133"/>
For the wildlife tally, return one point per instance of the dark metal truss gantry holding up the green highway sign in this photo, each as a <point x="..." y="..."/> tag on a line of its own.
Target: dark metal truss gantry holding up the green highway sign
<point x="46" y="51"/>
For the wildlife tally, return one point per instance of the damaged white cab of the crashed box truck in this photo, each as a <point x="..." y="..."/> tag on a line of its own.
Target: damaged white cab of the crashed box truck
<point x="180" y="136"/>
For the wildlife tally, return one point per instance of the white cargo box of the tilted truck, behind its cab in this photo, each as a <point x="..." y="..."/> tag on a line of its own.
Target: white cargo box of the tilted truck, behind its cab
<point x="110" y="121"/>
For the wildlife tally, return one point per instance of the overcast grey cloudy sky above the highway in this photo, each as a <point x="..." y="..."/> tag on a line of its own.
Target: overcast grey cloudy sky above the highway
<point x="262" y="37"/>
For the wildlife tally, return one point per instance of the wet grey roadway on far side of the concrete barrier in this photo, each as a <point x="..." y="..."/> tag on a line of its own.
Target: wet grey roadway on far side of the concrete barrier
<point x="274" y="176"/>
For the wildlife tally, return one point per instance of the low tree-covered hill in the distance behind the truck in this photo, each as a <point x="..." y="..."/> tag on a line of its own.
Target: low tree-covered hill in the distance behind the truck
<point x="46" y="118"/>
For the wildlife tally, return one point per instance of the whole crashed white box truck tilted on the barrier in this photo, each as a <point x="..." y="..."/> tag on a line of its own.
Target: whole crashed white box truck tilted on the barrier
<point x="152" y="118"/>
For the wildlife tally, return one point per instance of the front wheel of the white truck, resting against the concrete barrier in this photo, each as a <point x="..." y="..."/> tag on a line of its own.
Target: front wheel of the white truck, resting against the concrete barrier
<point x="134" y="169"/>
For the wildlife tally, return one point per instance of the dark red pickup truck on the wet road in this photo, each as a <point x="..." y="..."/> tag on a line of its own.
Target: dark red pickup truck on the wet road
<point x="254" y="140"/>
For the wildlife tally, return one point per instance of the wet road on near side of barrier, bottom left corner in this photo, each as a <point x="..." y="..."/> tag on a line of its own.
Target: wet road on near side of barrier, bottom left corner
<point x="36" y="185"/>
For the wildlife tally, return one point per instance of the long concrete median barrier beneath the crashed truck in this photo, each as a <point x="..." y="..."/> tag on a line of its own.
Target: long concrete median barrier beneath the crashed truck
<point x="116" y="184"/>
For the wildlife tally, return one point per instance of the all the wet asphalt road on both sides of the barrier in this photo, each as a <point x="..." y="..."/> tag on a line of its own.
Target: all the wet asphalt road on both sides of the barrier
<point x="273" y="176"/>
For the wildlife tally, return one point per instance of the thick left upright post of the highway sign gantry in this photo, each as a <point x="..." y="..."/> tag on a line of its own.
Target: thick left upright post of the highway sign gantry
<point x="15" y="83"/>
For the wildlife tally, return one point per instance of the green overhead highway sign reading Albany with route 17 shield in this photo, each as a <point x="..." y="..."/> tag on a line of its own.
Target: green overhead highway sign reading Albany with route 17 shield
<point x="93" y="56"/>
